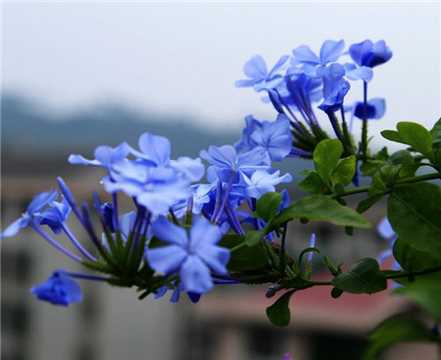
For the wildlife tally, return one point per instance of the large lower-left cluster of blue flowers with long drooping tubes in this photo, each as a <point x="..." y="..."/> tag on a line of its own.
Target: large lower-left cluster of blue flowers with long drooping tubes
<point x="165" y="194"/>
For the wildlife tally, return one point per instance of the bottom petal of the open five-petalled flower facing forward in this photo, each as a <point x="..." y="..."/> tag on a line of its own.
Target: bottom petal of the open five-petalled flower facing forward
<point x="195" y="276"/>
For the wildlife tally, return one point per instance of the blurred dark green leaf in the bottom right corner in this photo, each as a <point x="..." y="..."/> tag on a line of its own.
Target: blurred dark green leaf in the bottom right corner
<point x="396" y="329"/>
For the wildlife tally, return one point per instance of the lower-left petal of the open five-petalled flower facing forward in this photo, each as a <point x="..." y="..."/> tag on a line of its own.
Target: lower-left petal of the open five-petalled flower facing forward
<point x="166" y="259"/>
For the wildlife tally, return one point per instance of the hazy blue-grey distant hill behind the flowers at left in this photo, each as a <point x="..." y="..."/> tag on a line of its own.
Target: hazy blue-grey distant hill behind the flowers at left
<point x="31" y="135"/>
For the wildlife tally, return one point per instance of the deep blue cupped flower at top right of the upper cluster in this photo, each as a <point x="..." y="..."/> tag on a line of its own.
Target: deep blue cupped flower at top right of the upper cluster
<point x="370" y="54"/>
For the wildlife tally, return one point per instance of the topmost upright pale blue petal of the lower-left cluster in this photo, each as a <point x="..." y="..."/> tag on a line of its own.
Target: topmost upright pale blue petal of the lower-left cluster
<point x="155" y="148"/>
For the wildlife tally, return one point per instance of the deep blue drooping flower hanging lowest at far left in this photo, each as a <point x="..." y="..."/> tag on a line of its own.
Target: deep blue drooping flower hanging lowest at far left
<point x="59" y="289"/>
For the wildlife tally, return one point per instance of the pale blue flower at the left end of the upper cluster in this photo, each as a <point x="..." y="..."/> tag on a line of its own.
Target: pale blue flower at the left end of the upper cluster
<point x="259" y="77"/>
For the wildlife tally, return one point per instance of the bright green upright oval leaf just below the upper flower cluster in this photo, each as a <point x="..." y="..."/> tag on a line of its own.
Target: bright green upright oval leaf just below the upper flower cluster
<point x="326" y="156"/>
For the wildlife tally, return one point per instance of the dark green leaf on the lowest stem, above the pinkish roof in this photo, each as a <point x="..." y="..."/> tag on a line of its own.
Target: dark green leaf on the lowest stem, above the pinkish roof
<point x="364" y="277"/>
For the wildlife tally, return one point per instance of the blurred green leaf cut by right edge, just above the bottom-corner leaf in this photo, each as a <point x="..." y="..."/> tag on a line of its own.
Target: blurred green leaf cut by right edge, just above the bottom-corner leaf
<point x="425" y="291"/>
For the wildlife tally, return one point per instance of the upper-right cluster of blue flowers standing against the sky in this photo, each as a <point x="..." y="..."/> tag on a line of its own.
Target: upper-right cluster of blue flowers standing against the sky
<point x="298" y="81"/>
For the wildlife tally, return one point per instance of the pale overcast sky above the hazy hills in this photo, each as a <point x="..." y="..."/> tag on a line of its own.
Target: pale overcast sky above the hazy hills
<point x="185" y="58"/>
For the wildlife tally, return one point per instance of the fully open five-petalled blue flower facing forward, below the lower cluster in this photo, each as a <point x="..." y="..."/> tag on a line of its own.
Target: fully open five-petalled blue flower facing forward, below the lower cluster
<point x="193" y="257"/>
